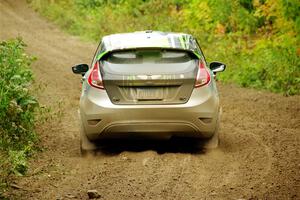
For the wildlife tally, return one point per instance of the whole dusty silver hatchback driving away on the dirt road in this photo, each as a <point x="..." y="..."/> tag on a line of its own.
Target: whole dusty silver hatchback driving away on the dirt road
<point x="148" y="85"/>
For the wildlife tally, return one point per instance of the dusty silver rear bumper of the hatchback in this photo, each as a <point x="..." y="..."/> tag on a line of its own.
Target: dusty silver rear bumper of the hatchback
<point x="103" y="119"/>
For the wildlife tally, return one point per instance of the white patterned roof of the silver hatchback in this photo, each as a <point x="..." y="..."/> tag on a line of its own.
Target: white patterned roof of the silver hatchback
<point x="149" y="39"/>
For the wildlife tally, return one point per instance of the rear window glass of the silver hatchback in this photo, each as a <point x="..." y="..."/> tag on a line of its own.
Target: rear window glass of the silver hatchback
<point x="149" y="56"/>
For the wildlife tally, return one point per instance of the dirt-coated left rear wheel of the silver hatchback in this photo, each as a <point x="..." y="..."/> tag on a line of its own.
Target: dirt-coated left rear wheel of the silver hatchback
<point x="86" y="146"/>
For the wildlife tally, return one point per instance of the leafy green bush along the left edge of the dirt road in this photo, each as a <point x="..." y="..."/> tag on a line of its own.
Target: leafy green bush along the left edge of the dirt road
<point x="17" y="109"/>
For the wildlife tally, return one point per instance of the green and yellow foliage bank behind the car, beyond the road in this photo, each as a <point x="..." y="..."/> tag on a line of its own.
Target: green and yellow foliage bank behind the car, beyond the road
<point x="258" y="39"/>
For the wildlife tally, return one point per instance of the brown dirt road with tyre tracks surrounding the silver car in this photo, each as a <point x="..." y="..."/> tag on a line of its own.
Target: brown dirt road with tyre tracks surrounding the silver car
<point x="258" y="157"/>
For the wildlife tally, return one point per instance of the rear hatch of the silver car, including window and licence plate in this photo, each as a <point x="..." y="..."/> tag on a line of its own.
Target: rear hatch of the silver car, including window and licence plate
<point x="149" y="76"/>
